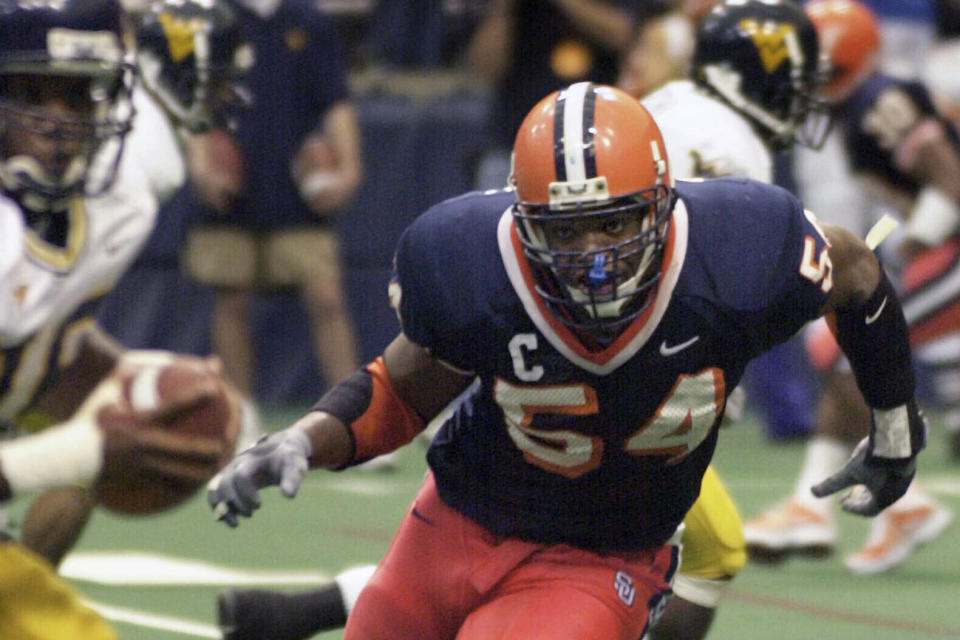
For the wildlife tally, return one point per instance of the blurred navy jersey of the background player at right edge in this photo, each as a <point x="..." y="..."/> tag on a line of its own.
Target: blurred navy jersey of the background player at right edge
<point x="877" y="118"/>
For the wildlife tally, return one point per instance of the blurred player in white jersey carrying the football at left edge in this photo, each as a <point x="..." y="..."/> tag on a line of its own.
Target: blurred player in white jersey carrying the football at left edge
<point x="77" y="210"/>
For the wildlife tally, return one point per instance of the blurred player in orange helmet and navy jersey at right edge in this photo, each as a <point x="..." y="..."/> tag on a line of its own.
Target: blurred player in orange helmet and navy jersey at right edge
<point x="909" y="156"/>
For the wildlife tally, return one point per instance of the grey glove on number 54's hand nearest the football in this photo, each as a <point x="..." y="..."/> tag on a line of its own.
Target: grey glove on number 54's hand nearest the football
<point x="276" y="459"/>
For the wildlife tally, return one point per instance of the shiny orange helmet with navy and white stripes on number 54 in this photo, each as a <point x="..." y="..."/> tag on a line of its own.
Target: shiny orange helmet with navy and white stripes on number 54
<point x="592" y="155"/>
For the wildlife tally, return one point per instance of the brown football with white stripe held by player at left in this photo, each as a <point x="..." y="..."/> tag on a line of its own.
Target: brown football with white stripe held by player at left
<point x="179" y="394"/>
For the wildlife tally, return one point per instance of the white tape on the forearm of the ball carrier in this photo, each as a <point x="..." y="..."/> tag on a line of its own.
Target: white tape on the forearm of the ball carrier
<point x="70" y="453"/>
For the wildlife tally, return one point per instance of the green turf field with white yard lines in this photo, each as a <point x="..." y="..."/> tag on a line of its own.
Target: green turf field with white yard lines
<point x="157" y="576"/>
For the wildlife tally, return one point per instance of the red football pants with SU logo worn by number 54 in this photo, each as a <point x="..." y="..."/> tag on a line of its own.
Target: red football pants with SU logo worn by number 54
<point x="445" y="577"/>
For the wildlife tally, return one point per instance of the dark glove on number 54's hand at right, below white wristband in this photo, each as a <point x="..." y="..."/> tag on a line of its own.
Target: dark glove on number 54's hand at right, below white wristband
<point x="881" y="484"/>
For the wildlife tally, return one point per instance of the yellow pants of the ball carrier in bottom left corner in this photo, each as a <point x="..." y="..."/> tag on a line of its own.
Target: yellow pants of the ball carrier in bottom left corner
<point x="36" y="604"/>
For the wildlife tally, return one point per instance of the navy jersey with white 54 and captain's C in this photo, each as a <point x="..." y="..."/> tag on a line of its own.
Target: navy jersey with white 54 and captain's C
<point x="601" y="449"/>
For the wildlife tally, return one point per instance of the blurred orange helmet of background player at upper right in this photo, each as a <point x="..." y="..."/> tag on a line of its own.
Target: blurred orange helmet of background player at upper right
<point x="850" y="38"/>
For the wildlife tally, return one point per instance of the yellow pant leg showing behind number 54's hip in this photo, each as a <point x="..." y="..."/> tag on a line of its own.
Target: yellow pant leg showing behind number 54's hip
<point x="713" y="549"/>
